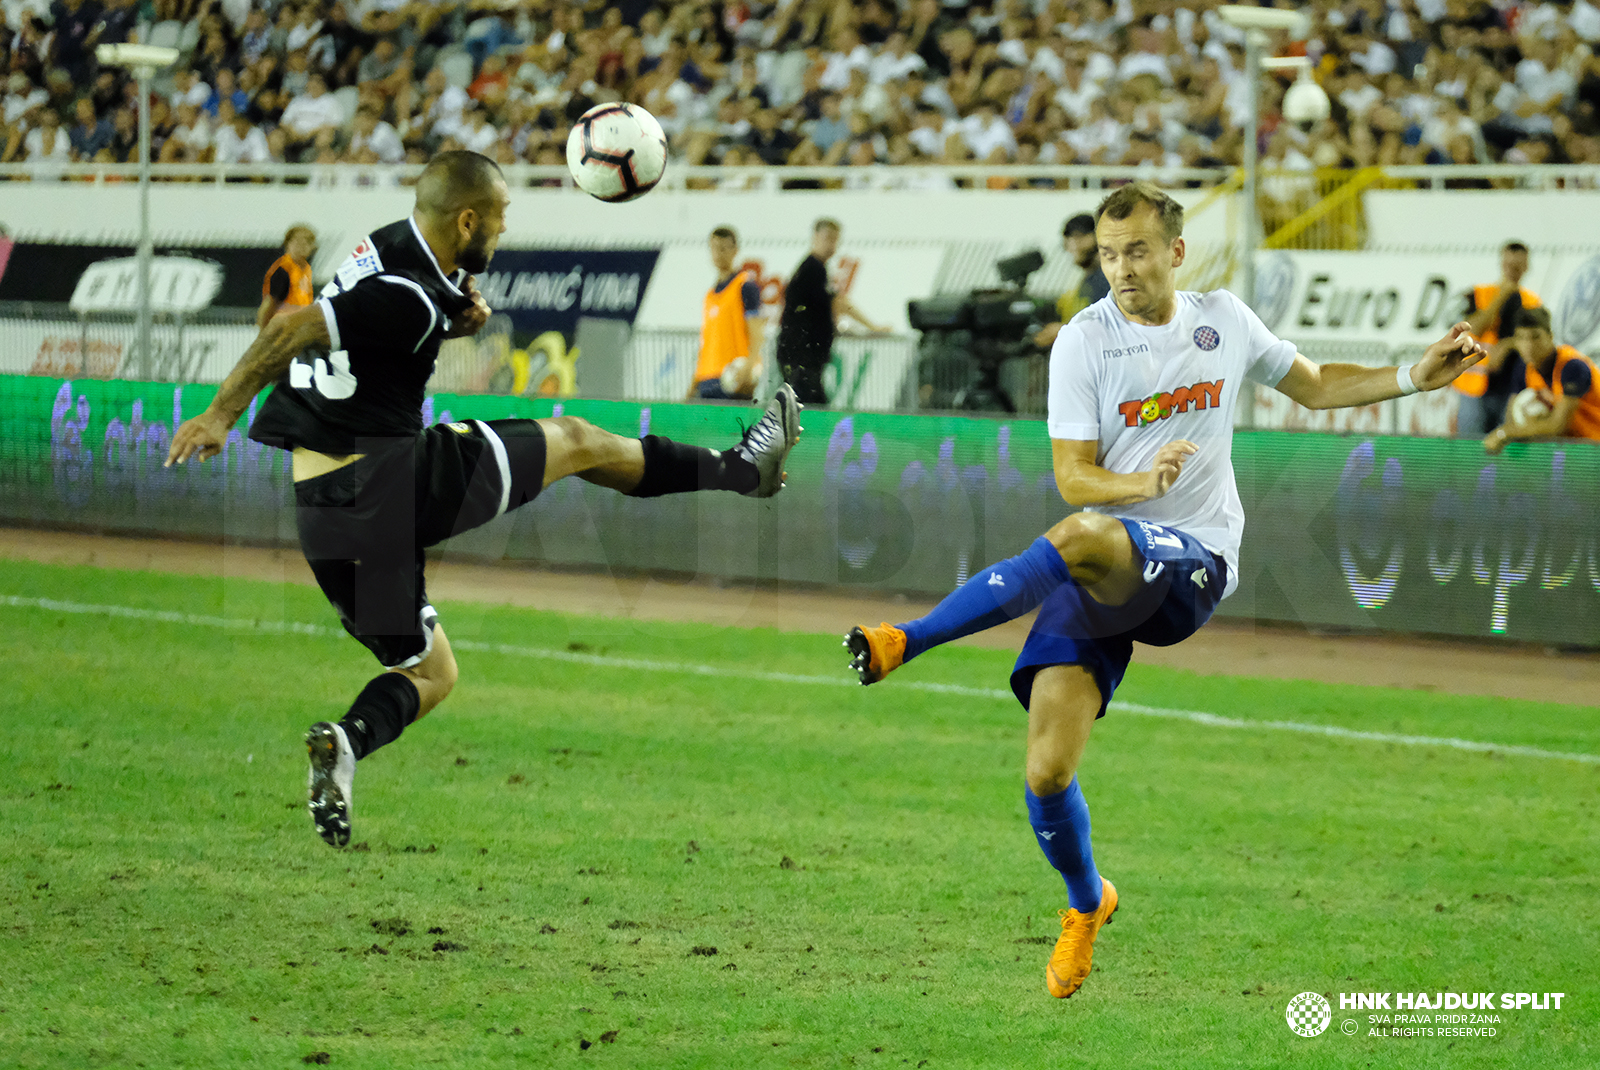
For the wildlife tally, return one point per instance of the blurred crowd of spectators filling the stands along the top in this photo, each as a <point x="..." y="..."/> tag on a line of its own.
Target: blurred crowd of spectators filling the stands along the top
<point x="750" y="82"/>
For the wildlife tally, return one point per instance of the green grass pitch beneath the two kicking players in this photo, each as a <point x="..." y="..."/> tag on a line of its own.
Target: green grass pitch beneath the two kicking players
<point x="553" y="855"/>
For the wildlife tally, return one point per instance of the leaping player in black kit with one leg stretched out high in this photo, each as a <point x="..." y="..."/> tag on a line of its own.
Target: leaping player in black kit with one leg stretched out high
<point x="374" y="489"/>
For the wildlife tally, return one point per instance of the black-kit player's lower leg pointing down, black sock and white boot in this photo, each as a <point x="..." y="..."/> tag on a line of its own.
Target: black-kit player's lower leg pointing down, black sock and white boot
<point x="385" y="708"/>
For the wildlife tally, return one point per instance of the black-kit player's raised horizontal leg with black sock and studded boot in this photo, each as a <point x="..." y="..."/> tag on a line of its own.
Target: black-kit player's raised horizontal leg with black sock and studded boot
<point x="655" y="466"/>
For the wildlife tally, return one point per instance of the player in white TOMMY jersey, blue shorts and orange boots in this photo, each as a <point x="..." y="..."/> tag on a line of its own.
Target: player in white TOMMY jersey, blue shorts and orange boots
<point x="1143" y="388"/>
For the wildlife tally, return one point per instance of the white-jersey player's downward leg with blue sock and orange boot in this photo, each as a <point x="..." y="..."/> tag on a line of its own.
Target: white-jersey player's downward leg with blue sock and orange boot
<point x="1062" y="713"/>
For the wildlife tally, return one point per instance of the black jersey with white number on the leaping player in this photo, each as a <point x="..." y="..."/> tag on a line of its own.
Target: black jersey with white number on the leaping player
<point x="388" y="311"/>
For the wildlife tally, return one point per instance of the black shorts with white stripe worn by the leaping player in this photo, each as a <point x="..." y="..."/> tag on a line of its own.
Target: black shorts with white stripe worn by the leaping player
<point x="364" y="527"/>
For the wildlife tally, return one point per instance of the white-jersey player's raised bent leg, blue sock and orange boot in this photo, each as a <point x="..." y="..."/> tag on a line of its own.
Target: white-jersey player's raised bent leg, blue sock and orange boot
<point x="1089" y="549"/>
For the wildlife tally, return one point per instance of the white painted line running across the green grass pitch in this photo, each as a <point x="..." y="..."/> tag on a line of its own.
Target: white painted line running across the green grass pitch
<point x="639" y="665"/>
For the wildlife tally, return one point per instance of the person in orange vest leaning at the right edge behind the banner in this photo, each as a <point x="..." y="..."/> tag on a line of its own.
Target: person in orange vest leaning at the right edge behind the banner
<point x="1566" y="381"/>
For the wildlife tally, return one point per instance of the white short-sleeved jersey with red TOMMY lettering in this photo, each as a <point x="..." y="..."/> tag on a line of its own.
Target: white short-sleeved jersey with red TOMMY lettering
<point x="1134" y="389"/>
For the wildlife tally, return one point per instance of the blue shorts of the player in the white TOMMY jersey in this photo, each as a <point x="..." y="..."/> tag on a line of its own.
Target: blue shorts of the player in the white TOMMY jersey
<point x="1183" y="583"/>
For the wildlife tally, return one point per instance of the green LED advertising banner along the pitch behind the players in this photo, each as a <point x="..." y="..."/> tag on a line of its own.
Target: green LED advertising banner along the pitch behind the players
<point x="1404" y="535"/>
